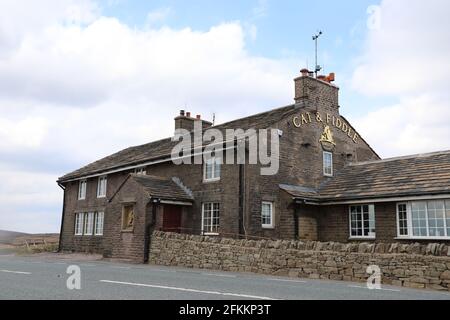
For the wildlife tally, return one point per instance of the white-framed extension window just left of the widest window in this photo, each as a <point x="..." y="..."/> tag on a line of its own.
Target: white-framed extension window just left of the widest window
<point x="362" y="221"/>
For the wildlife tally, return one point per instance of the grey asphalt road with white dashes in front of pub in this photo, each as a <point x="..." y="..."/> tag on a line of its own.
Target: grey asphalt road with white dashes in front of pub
<point x="45" y="278"/>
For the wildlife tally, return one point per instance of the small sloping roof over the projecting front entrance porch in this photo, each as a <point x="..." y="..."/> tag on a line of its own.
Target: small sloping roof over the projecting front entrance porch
<point x="163" y="188"/>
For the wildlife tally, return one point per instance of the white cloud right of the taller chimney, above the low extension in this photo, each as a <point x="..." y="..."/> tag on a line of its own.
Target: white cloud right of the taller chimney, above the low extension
<point x="406" y="58"/>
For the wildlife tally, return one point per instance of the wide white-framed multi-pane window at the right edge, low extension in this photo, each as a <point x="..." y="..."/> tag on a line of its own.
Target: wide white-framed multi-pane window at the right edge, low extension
<point x="424" y="219"/>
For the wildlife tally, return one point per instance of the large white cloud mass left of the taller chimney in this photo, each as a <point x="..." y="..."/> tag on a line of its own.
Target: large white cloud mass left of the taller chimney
<point x="76" y="86"/>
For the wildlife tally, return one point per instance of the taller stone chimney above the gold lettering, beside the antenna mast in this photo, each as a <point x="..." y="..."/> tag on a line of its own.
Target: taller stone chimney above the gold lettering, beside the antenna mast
<point x="320" y="92"/>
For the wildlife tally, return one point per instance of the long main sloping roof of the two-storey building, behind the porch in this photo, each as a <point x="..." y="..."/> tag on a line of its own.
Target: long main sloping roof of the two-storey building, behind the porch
<point x="162" y="149"/>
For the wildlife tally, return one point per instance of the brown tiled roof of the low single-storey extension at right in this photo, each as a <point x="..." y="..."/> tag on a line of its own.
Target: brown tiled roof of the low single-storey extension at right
<point x="424" y="174"/>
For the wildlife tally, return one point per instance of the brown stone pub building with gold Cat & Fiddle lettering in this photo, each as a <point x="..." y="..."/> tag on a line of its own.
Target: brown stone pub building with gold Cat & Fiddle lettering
<point x="330" y="186"/>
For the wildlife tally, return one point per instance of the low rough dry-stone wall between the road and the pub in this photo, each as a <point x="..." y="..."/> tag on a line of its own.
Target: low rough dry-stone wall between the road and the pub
<point x="409" y="265"/>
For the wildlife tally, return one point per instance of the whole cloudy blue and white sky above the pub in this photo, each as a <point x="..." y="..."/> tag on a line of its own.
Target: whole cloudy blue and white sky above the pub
<point x="81" y="79"/>
